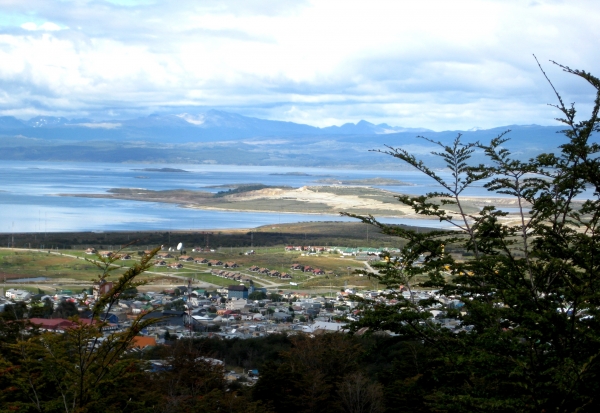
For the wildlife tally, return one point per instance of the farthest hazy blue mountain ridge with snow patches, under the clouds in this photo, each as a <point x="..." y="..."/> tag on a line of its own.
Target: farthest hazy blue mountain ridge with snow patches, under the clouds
<point x="213" y="124"/>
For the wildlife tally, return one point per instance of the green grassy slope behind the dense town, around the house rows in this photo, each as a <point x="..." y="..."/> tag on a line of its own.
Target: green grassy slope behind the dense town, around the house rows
<point x="71" y="269"/>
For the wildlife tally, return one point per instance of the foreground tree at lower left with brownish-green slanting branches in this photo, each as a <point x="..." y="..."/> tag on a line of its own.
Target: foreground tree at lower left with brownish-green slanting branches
<point x="85" y="368"/>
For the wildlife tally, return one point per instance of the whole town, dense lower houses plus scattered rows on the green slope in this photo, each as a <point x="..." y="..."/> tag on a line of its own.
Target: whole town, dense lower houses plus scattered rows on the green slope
<point x="251" y="301"/>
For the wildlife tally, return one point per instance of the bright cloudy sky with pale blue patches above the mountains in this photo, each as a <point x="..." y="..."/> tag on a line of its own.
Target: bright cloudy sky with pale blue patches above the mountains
<point x="436" y="64"/>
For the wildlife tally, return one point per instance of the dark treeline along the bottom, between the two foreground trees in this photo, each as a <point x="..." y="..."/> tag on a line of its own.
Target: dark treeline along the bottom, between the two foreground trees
<point x="322" y="373"/>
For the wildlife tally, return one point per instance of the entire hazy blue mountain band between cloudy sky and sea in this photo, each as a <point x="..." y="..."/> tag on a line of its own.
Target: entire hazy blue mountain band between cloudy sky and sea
<point x="227" y="138"/>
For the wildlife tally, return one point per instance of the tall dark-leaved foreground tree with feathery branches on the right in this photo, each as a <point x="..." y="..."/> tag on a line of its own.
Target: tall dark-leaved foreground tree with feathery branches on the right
<point x="528" y="299"/>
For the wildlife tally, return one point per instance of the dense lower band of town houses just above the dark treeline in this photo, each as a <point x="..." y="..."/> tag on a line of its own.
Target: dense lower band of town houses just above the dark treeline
<point x="232" y="312"/>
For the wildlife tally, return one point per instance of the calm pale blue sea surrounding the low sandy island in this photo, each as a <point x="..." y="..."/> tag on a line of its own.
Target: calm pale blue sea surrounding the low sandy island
<point x="29" y="201"/>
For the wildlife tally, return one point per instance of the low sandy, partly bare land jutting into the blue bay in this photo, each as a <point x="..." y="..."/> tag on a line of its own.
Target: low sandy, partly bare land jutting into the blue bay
<point x="323" y="199"/>
